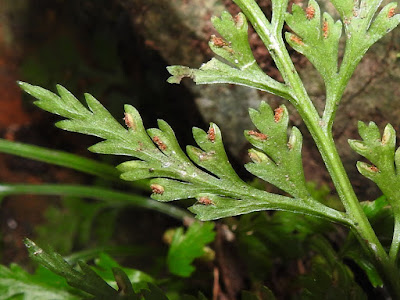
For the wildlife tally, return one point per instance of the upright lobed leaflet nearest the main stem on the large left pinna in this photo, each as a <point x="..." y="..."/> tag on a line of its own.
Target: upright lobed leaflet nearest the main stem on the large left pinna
<point x="280" y="162"/>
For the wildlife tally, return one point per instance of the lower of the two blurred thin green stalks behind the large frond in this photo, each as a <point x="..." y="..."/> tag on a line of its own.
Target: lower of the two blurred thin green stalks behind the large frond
<point x="115" y="198"/>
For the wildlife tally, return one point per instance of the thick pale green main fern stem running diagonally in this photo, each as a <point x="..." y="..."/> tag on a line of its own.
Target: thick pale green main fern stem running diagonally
<point x="324" y="141"/>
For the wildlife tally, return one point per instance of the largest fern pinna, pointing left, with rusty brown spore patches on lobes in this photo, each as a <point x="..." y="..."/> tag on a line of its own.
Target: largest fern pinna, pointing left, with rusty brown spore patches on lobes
<point x="205" y="173"/>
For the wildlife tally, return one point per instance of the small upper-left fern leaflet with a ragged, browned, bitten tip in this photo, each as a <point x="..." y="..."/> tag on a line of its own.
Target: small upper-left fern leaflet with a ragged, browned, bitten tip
<point x="235" y="62"/>
